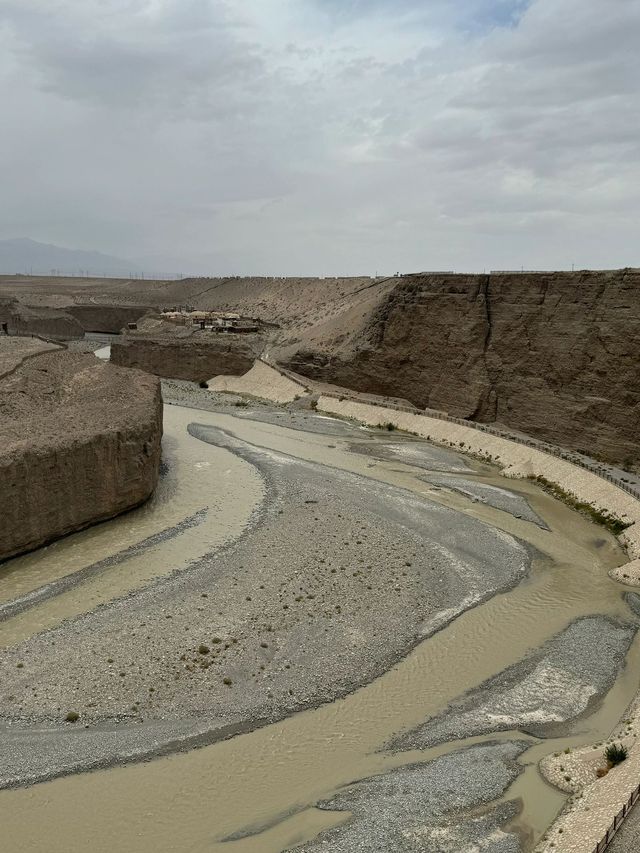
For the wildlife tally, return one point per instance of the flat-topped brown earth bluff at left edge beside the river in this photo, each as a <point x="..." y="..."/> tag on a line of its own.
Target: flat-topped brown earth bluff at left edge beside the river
<point x="79" y="443"/>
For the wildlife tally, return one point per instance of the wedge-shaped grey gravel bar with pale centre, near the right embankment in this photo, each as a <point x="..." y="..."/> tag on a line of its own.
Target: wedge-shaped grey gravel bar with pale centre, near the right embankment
<point x="556" y="684"/>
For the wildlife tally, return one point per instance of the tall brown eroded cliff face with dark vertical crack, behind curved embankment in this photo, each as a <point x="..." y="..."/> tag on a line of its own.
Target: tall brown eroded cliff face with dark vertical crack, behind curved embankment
<point x="554" y="355"/>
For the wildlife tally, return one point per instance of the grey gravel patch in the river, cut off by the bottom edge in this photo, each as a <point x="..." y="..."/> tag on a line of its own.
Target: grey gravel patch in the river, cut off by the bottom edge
<point x="433" y="807"/>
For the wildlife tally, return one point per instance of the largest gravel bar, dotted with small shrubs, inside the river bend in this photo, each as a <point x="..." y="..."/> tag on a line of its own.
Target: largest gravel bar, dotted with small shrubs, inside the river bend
<point x="333" y="583"/>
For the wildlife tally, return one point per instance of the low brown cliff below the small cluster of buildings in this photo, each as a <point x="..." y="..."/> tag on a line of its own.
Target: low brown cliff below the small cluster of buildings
<point x="196" y="358"/>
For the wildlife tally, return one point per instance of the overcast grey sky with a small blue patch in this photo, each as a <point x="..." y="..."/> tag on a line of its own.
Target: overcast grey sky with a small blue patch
<point x="324" y="136"/>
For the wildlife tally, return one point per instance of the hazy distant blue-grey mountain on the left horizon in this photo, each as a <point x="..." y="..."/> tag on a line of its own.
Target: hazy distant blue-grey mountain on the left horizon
<point x="27" y="256"/>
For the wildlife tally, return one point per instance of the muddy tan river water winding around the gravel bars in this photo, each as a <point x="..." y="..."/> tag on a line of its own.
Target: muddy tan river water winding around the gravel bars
<point x="257" y="791"/>
